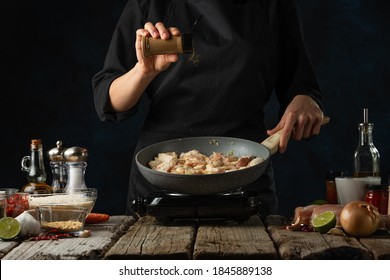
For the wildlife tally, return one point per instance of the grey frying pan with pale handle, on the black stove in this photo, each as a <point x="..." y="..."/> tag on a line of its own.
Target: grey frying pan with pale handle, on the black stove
<point x="202" y="184"/>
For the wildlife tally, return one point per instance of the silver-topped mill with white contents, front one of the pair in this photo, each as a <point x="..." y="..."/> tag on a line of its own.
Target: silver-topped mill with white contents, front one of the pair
<point x="75" y="163"/>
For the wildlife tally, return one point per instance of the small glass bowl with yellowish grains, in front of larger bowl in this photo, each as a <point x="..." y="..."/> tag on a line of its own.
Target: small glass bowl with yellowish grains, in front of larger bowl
<point x="62" y="218"/>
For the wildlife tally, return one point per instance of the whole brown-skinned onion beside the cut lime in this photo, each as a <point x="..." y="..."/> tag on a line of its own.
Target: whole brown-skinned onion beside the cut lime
<point x="359" y="218"/>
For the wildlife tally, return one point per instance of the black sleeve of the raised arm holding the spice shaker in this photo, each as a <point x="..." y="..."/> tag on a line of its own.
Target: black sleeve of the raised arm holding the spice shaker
<point x="120" y="58"/>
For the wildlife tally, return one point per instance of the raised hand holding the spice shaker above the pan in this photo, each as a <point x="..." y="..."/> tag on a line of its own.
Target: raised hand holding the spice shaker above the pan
<point x="155" y="63"/>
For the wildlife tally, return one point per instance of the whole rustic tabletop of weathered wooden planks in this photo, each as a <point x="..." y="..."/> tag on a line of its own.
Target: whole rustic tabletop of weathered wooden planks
<point x="123" y="237"/>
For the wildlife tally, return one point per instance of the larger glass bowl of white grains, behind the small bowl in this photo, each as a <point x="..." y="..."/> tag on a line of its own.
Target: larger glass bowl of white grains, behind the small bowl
<point x="83" y="197"/>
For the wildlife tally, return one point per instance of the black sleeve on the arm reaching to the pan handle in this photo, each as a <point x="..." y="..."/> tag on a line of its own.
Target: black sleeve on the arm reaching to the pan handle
<point x="295" y="71"/>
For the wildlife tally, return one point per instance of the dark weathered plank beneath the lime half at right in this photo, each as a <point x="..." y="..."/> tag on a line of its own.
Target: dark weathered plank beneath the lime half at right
<point x="313" y="245"/>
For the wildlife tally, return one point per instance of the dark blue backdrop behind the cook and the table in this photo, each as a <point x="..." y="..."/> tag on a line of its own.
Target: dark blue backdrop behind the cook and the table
<point x="51" y="49"/>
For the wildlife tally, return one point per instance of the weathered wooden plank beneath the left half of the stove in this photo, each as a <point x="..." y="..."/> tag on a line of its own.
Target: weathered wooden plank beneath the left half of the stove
<point x="149" y="239"/>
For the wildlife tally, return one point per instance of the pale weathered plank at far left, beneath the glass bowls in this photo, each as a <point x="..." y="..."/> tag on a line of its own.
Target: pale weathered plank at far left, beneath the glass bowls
<point x="103" y="236"/>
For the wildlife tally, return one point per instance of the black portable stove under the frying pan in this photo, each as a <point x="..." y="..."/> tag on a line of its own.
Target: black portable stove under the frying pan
<point x="165" y="206"/>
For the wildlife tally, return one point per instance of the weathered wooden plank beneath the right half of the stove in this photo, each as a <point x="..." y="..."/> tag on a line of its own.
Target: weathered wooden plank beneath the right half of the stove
<point x="247" y="240"/>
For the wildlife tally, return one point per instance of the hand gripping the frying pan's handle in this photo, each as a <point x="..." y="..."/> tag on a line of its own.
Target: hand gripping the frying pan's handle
<point x="301" y="120"/>
